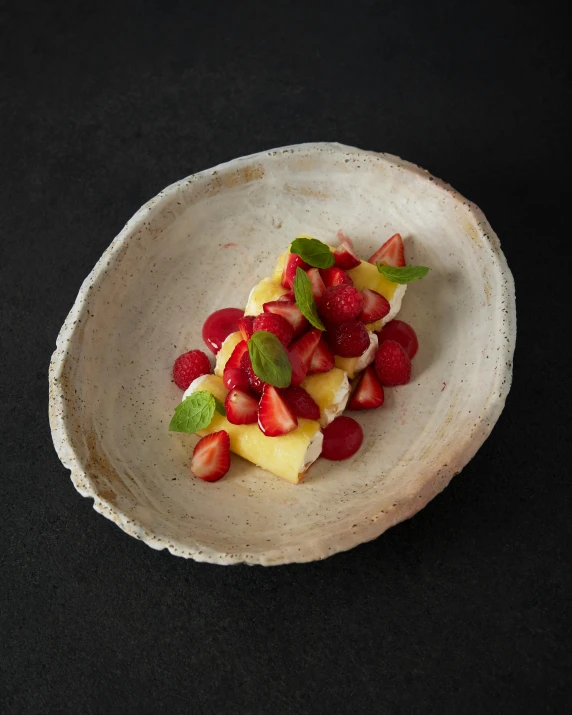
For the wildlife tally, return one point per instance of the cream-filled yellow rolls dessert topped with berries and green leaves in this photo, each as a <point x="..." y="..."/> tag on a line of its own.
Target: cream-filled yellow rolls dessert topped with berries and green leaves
<point x="317" y="337"/>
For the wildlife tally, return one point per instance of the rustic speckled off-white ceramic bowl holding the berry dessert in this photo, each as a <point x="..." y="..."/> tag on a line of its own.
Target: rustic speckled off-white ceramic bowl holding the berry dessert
<point x="200" y="245"/>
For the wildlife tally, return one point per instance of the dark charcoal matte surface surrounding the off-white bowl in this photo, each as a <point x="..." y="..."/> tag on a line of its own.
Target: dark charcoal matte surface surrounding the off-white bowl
<point x="463" y="609"/>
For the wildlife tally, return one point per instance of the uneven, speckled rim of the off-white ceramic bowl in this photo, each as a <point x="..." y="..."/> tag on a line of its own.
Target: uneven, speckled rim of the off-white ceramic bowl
<point x="321" y="546"/>
